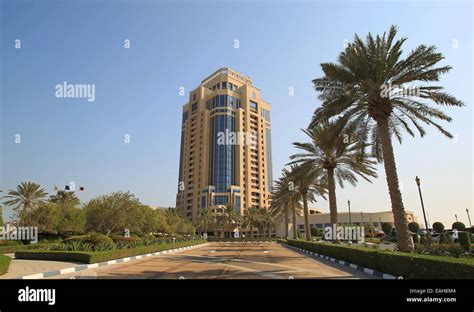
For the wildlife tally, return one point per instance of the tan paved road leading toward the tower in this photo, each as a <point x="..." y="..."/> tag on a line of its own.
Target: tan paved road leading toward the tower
<point x="226" y="261"/>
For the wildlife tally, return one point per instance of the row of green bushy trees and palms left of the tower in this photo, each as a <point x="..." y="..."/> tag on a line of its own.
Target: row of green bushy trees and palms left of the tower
<point x="63" y="213"/>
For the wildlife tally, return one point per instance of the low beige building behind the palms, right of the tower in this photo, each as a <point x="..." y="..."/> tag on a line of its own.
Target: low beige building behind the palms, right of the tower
<point x="321" y="220"/>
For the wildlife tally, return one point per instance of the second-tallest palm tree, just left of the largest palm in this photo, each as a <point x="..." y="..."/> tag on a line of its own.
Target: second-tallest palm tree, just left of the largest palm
<point x="338" y="156"/>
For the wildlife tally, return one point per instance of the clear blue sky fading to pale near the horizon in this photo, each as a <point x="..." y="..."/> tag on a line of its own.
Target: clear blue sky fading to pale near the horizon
<point x="176" y="44"/>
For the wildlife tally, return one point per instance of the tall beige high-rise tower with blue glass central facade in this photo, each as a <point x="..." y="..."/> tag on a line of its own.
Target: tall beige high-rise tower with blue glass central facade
<point x="225" y="146"/>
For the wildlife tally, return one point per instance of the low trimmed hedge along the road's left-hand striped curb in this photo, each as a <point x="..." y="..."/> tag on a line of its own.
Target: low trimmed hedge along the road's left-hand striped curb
<point x="94" y="257"/>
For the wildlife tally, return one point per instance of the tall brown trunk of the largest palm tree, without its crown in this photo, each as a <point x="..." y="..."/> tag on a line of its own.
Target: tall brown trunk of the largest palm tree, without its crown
<point x="400" y="221"/>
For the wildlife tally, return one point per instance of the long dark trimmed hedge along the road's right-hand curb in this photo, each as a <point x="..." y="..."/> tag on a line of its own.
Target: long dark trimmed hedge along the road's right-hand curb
<point x="408" y="265"/>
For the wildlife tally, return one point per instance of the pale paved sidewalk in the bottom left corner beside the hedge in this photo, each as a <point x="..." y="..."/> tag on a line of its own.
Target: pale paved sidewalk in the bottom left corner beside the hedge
<point x="21" y="267"/>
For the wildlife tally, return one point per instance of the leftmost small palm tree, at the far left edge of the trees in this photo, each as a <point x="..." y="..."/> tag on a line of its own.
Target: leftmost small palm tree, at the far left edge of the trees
<point x="27" y="197"/>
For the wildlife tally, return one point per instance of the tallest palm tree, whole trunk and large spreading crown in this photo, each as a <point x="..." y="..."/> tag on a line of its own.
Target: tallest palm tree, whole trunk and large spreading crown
<point x="366" y="89"/>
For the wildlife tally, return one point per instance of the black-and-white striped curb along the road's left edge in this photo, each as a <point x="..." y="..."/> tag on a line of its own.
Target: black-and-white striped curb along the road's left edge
<point x="82" y="267"/>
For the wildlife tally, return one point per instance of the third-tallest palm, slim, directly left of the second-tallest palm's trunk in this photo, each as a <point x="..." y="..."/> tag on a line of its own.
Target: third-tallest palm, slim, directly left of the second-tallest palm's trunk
<point x="309" y="184"/>
